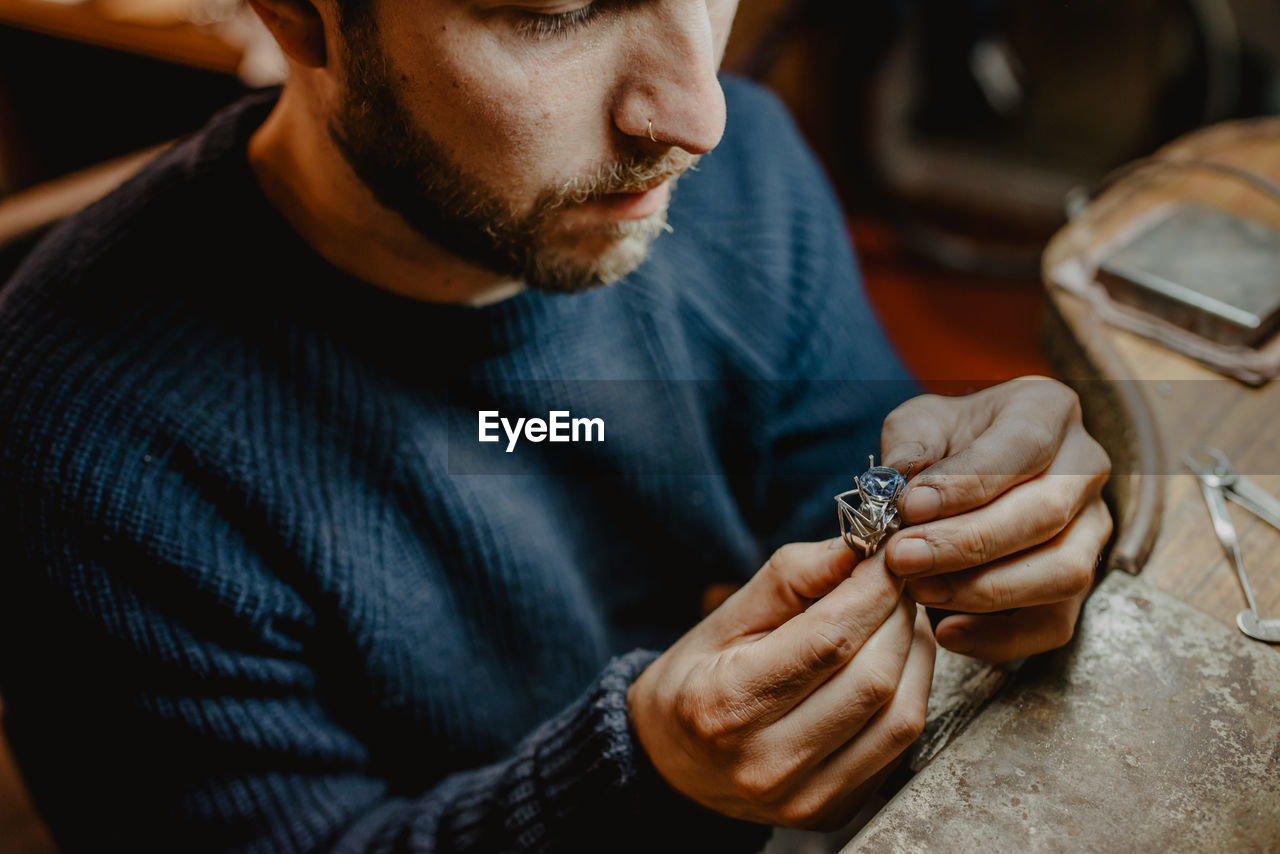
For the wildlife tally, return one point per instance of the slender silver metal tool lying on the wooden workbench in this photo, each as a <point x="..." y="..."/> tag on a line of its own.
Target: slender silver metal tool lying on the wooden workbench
<point x="1219" y="482"/>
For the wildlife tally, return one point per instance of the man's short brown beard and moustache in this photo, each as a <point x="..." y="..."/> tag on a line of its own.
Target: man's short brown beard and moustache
<point x="412" y="175"/>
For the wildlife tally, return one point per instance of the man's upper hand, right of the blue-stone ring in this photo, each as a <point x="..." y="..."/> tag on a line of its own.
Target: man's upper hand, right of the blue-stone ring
<point x="1005" y="514"/>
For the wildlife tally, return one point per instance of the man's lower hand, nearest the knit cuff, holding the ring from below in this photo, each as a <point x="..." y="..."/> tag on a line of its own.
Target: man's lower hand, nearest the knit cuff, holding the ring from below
<point x="787" y="702"/>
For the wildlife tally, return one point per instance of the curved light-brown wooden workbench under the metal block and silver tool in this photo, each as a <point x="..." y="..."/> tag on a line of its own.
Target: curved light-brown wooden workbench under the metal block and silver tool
<point x="1151" y="405"/>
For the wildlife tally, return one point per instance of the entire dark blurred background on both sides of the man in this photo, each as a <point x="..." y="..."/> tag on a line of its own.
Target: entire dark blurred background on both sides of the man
<point x="954" y="131"/>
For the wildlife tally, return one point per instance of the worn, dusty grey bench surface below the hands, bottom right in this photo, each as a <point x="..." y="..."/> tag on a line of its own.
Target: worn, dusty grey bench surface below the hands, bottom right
<point x="1159" y="729"/>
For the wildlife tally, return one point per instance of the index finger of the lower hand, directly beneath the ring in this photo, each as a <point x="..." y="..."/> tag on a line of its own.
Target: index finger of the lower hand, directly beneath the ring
<point x="781" y="669"/>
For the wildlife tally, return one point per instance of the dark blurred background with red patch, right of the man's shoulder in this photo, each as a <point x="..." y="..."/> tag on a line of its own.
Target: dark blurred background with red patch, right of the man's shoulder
<point x="957" y="130"/>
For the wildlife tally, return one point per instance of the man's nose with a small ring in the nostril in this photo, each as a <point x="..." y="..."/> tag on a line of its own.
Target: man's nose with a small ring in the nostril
<point x="670" y="80"/>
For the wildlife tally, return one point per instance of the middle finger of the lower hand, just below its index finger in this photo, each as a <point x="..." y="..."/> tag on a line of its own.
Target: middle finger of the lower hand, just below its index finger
<point x="840" y="707"/>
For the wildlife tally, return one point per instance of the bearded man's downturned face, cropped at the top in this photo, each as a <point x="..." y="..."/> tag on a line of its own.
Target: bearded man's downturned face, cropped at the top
<point x="516" y="135"/>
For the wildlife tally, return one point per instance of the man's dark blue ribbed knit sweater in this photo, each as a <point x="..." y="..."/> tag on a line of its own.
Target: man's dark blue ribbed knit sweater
<point x="264" y="588"/>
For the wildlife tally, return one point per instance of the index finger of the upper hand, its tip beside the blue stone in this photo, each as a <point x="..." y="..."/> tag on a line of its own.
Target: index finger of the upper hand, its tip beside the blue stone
<point x="1022" y="441"/>
